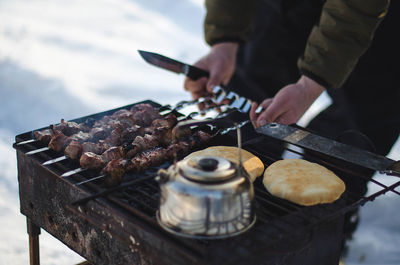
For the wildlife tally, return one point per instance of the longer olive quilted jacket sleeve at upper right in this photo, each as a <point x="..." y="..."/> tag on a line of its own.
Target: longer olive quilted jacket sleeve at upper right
<point x="345" y="31"/>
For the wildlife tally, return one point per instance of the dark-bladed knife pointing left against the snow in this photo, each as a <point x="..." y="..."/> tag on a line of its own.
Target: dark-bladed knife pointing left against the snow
<point x="175" y="66"/>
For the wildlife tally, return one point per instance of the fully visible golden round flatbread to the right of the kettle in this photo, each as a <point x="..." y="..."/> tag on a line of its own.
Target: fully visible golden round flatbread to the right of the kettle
<point x="302" y="182"/>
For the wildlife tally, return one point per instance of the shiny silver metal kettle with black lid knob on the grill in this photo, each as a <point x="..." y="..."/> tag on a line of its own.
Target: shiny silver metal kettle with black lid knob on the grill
<point x="206" y="197"/>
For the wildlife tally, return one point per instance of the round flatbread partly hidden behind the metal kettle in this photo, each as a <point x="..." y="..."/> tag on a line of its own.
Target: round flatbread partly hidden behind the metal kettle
<point x="252" y="164"/>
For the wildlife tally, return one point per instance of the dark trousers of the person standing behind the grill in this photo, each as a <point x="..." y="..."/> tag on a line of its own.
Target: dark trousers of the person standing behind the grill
<point x="365" y="112"/>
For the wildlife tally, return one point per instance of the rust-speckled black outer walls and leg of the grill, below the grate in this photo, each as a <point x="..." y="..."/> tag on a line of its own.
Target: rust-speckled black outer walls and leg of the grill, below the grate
<point x="104" y="234"/>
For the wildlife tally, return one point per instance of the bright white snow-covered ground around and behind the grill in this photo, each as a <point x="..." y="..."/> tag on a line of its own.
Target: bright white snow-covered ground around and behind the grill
<point x="66" y="59"/>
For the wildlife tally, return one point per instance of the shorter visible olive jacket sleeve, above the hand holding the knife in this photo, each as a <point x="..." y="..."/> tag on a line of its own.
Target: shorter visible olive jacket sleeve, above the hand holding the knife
<point x="228" y="20"/>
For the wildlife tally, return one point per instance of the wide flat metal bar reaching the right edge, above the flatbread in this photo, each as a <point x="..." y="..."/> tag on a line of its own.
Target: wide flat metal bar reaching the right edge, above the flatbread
<point x="330" y="147"/>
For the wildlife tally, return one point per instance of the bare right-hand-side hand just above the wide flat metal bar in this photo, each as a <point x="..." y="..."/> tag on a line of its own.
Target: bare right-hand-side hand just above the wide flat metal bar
<point x="289" y="104"/>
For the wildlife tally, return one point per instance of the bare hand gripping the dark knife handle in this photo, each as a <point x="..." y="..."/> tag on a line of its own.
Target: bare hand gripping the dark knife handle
<point x="220" y="62"/>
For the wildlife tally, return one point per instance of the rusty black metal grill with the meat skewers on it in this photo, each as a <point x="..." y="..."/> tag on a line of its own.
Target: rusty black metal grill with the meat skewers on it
<point x="90" y="183"/>
